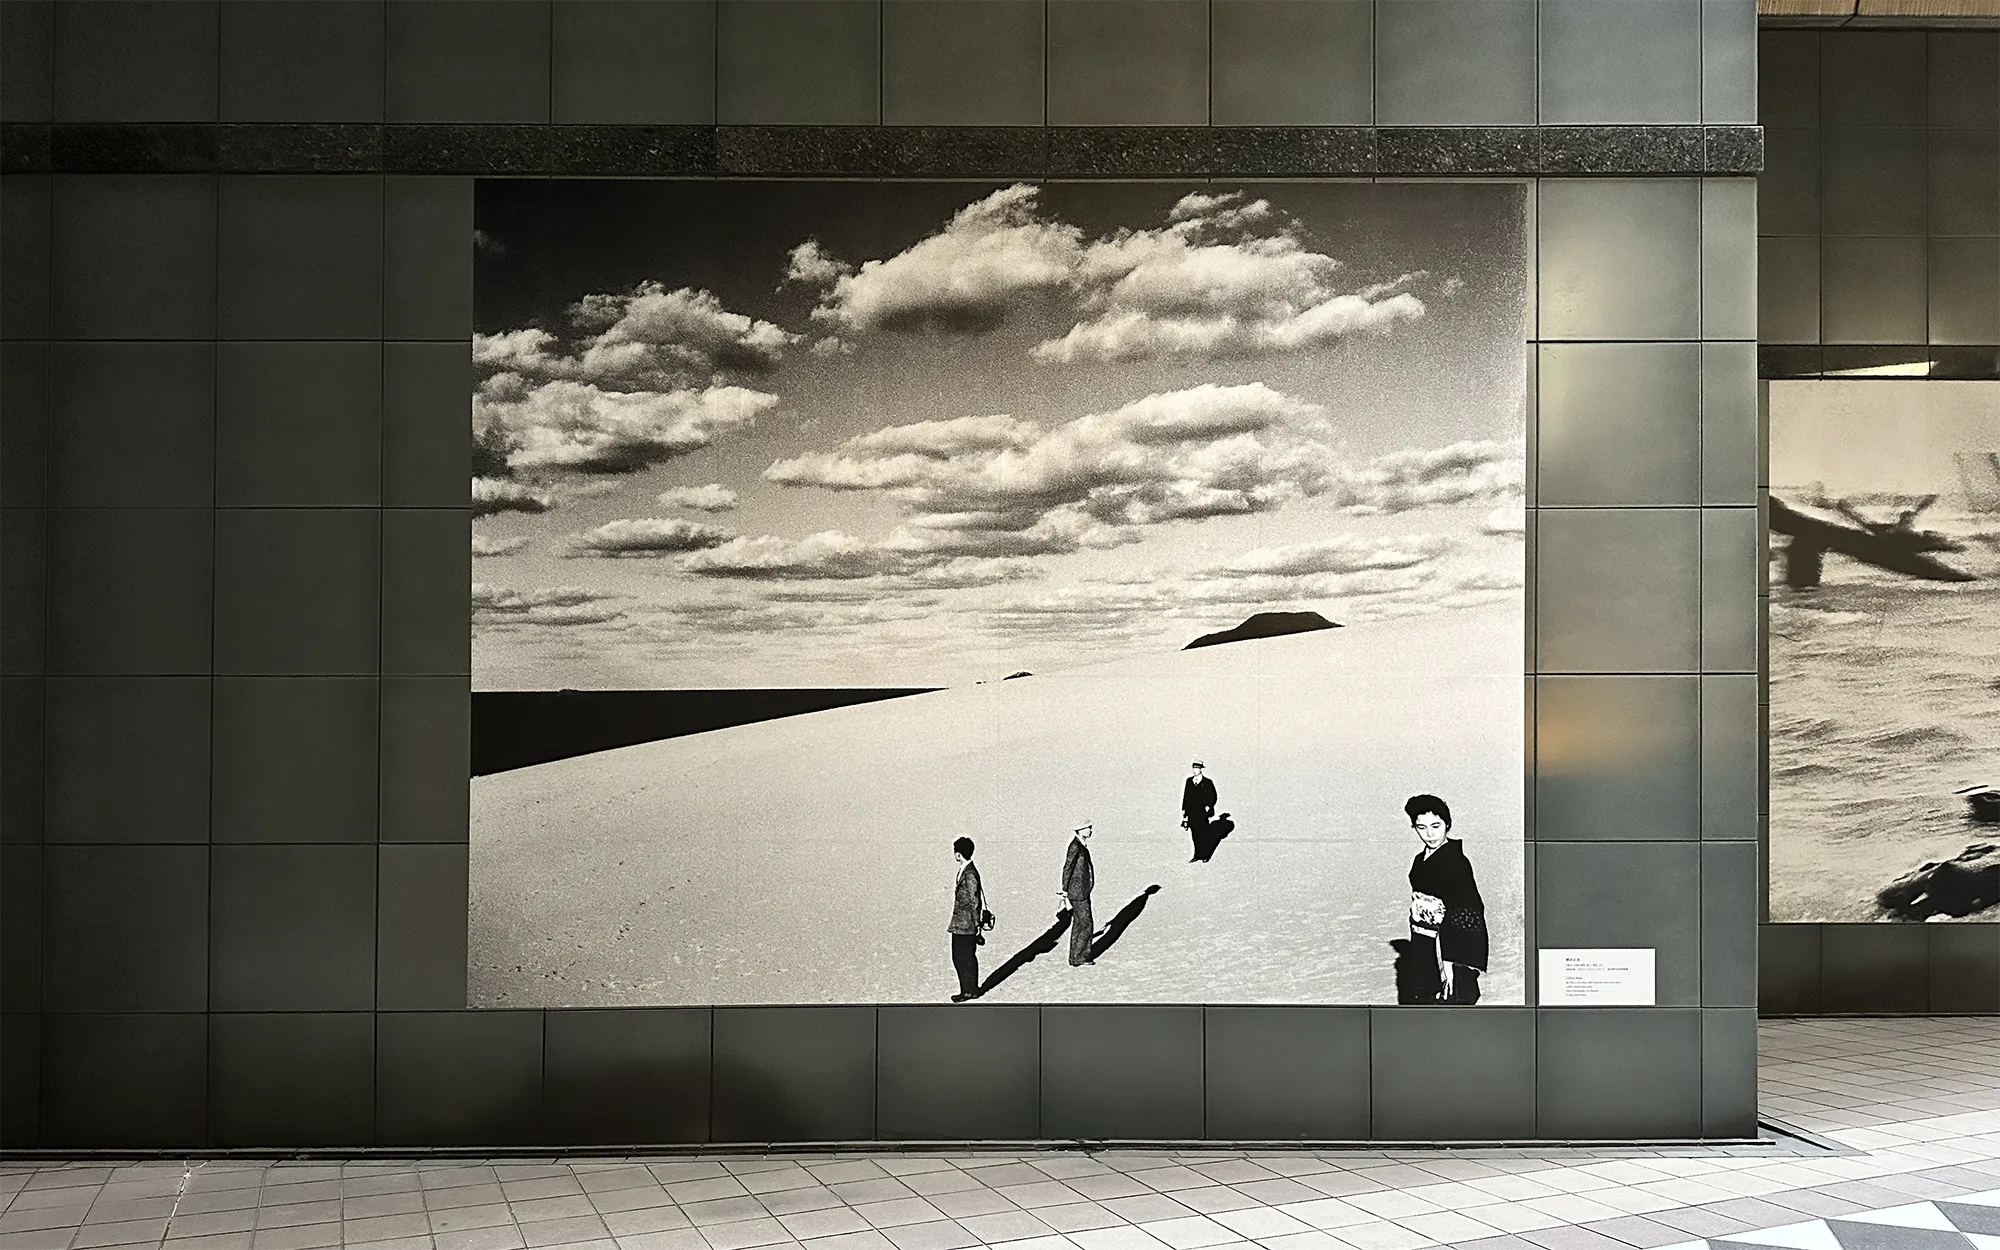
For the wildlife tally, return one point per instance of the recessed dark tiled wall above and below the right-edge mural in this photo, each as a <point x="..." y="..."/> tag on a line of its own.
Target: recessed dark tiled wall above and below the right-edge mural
<point x="1879" y="221"/>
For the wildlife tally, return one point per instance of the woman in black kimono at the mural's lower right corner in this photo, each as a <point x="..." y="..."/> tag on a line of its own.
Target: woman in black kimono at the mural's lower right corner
<point x="1447" y="915"/>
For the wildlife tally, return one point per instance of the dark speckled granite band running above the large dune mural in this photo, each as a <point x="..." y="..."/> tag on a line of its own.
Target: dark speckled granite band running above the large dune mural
<point x="885" y="151"/>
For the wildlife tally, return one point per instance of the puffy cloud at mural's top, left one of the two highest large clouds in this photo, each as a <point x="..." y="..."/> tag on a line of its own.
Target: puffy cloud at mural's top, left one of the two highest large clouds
<point x="961" y="281"/>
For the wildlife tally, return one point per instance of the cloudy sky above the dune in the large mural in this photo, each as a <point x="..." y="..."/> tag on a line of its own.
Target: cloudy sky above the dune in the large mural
<point x="923" y="435"/>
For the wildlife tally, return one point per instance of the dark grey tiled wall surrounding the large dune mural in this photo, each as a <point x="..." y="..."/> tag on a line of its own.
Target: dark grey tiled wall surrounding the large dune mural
<point x="233" y="583"/>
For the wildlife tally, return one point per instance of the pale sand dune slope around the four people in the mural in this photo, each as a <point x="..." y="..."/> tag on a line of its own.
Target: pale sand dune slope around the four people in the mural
<point x="809" y="859"/>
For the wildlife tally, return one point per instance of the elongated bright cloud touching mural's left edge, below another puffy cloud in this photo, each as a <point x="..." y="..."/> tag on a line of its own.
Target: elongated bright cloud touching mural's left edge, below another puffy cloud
<point x="575" y="427"/>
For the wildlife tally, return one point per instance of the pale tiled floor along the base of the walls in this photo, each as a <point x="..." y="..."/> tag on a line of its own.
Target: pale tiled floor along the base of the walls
<point x="1913" y="1109"/>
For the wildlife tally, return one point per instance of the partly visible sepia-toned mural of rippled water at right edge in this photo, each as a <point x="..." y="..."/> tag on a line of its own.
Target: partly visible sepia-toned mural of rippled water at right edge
<point x="1885" y="663"/>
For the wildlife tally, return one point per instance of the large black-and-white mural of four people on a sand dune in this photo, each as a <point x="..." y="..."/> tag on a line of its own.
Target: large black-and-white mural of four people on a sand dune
<point x="1027" y="593"/>
